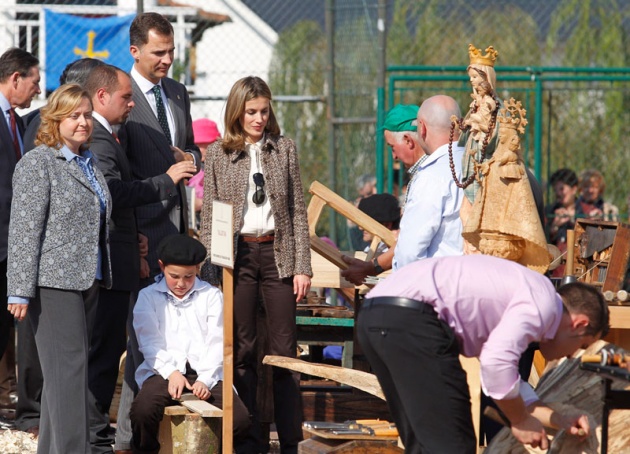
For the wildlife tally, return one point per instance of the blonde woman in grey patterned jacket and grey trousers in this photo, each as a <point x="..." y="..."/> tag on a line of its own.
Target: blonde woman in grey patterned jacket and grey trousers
<point x="58" y="257"/>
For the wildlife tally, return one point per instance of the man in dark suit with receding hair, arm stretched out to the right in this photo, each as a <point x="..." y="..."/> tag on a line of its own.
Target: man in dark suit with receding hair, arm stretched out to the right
<point x="111" y="93"/>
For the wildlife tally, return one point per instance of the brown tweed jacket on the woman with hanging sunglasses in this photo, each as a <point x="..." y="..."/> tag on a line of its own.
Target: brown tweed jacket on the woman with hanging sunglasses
<point x="226" y="178"/>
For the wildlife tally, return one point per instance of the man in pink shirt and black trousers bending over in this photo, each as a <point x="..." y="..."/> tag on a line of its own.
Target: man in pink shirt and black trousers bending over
<point x="414" y="325"/>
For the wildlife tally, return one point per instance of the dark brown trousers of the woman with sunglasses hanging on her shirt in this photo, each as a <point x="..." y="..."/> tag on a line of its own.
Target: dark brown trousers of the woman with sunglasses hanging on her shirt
<point x="256" y="272"/>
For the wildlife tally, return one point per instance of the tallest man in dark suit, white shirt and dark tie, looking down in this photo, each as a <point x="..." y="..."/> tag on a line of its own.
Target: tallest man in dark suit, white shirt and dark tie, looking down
<point x="159" y="133"/>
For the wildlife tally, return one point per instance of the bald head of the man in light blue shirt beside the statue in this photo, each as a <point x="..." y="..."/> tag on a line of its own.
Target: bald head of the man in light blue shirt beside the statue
<point x="434" y="121"/>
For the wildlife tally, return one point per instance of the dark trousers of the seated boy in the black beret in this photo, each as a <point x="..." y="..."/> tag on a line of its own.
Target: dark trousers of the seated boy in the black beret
<point x="147" y="411"/>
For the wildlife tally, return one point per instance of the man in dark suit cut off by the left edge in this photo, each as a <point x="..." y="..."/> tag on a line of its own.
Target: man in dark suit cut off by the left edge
<point x="19" y="84"/>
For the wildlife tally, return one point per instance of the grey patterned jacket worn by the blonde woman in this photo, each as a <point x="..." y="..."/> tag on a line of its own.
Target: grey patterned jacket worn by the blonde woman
<point x="54" y="231"/>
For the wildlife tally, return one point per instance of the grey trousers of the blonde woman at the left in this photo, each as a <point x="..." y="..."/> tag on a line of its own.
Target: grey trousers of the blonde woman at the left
<point x="60" y="324"/>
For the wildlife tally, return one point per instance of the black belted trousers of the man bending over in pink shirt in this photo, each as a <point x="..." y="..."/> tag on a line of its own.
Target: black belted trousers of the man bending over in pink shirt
<point x="416" y="359"/>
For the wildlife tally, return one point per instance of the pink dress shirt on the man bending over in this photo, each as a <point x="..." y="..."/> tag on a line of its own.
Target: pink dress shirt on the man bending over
<point x="495" y="307"/>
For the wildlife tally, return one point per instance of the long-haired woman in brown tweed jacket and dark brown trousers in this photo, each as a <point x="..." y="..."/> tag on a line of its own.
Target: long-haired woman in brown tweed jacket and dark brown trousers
<point x="256" y="170"/>
